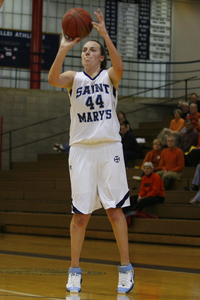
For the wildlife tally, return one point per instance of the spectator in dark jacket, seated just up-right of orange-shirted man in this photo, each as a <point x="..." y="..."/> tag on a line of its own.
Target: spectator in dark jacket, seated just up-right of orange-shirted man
<point x="189" y="138"/>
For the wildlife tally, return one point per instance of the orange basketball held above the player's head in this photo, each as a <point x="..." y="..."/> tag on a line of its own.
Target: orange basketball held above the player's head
<point x="76" y="23"/>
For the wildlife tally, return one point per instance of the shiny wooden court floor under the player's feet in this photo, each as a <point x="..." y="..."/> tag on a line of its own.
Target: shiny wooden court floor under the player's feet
<point x="35" y="267"/>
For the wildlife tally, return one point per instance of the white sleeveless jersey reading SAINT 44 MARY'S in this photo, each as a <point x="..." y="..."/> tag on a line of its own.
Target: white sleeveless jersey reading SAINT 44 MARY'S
<point x="93" y="110"/>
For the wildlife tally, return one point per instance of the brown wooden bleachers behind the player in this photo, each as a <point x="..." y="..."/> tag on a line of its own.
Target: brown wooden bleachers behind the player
<point x="35" y="199"/>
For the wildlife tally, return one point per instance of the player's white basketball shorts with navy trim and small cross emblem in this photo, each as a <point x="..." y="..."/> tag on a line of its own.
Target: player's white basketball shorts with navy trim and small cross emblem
<point x="98" y="177"/>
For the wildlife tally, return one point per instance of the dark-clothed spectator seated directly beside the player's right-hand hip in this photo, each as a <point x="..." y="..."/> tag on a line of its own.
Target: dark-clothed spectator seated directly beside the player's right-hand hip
<point x="131" y="148"/>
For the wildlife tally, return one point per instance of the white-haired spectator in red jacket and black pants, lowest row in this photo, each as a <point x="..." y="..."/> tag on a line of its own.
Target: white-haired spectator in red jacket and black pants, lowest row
<point x="151" y="191"/>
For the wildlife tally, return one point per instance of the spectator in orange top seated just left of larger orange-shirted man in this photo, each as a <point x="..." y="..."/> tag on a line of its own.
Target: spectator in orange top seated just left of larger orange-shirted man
<point x="154" y="155"/>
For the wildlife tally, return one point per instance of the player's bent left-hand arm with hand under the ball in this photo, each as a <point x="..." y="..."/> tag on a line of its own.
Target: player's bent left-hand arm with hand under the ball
<point x="55" y="77"/>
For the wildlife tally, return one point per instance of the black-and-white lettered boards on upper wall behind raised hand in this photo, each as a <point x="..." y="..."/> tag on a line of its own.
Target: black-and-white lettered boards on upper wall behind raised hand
<point x="140" y="29"/>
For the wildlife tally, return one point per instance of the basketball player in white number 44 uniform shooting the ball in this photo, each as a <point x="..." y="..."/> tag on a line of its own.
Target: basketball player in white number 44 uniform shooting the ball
<point x="96" y="164"/>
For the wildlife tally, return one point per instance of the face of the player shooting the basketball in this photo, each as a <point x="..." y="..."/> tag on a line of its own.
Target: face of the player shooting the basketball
<point x="91" y="54"/>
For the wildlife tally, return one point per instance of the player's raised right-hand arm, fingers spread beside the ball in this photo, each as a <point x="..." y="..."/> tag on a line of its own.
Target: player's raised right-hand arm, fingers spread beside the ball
<point x="116" y="71"/>
